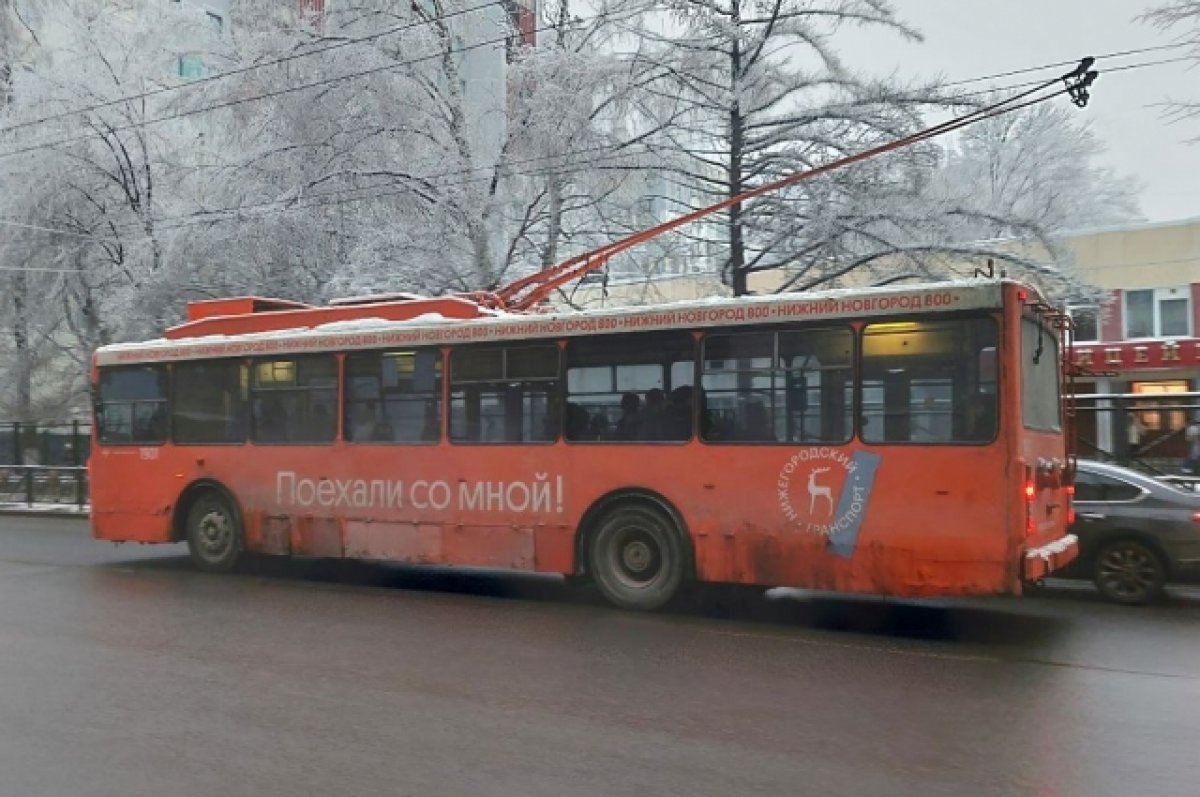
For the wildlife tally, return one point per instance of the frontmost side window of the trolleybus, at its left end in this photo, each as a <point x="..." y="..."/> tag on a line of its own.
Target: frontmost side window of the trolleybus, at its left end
<point x="131" y="406"/>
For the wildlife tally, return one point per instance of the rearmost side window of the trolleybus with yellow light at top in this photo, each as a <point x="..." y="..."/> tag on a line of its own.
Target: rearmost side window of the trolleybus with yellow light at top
<point x="929" y="382"/>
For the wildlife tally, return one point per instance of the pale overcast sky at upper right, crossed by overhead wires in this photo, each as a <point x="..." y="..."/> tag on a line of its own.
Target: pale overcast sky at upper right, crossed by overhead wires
<point x="968" y="39"/>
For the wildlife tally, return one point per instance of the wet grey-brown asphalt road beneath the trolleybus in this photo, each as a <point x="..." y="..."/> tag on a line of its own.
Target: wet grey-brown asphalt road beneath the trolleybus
<point x="124" y="673"/>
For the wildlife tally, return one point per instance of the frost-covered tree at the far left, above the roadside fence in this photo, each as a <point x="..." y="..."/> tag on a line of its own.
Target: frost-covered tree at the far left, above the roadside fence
<point x="97" y="178"/>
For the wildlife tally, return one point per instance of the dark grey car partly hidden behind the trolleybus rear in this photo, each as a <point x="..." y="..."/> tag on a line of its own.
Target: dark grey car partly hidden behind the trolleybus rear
<point x="1136" y="534"/>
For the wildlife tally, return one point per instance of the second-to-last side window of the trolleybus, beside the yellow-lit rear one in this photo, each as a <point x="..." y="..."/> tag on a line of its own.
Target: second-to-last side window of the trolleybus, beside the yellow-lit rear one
<point x="794" y="386"/>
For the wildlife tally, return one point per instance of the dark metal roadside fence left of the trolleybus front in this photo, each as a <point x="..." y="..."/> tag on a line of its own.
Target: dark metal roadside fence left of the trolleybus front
<point x="44" y="464"/>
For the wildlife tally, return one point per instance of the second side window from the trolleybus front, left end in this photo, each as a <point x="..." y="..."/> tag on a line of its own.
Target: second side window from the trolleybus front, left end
<point x="209" y="402"/>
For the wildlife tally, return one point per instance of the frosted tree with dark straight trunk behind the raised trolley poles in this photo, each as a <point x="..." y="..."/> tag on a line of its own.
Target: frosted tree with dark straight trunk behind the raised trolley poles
<point x="769" y="95"/>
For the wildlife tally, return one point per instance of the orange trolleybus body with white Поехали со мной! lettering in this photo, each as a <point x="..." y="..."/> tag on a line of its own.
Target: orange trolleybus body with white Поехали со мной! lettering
<point x="892" y="441"/>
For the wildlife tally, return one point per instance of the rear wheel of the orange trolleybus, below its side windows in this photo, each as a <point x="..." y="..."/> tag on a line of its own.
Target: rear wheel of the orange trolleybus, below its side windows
<point x="637" y="558"/>
